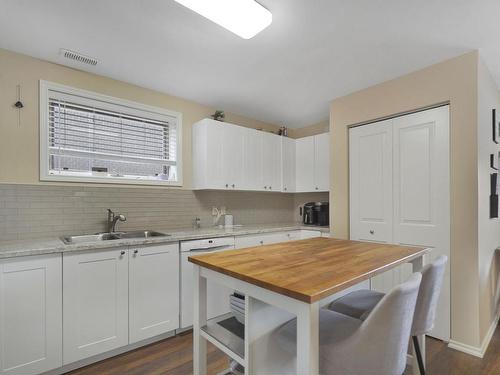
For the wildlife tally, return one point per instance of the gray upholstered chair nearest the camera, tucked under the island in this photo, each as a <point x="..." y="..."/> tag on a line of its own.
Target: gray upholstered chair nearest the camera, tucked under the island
<point x="376" y="346"/>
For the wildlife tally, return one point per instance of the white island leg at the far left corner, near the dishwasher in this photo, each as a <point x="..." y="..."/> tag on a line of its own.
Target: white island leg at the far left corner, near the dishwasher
<point x="199" y="320"/>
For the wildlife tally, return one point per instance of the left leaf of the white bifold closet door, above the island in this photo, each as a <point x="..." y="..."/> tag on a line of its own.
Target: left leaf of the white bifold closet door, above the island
<point x="370" y="170"/>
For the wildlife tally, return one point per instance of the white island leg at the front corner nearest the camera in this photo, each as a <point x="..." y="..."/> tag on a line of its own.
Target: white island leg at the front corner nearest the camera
<point x="308" y="339"/>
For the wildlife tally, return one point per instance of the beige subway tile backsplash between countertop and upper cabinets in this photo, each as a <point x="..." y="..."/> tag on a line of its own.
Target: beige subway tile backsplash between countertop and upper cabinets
<point x="38" y="211"/>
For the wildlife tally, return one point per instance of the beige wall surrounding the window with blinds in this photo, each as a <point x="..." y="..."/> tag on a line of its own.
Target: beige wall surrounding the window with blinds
<point x="19" y="144"/>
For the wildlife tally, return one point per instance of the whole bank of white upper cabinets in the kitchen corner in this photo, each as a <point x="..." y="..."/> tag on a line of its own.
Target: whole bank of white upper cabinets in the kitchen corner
<point x="231" y="157"/>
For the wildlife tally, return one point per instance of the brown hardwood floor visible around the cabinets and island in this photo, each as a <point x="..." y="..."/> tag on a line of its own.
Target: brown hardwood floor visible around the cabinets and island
<point x="173" y="357"/>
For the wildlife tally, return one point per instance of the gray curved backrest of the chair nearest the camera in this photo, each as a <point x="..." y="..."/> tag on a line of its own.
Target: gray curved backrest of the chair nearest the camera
<point x="381" y="342"/>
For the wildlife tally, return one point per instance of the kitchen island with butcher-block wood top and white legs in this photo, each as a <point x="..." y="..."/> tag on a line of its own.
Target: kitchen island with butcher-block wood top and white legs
<point x="282" y="281"/>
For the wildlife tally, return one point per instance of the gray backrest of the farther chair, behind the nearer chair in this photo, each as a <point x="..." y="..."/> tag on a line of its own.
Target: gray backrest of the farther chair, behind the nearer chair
<point x="428" y="296"/>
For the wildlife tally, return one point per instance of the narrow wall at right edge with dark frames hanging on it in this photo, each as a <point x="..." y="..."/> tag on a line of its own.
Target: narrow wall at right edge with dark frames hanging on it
<point x="488" y="229"/>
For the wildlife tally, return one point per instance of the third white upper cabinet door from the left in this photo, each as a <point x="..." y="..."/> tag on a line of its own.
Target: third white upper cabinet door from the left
<point x="252" y="160"/>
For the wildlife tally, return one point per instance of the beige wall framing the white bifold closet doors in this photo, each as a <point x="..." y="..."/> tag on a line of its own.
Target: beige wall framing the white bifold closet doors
<point x="453" y="81"/>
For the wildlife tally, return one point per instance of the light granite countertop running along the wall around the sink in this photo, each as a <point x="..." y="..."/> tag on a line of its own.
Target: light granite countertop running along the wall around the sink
<point x="10" y="249"/>
